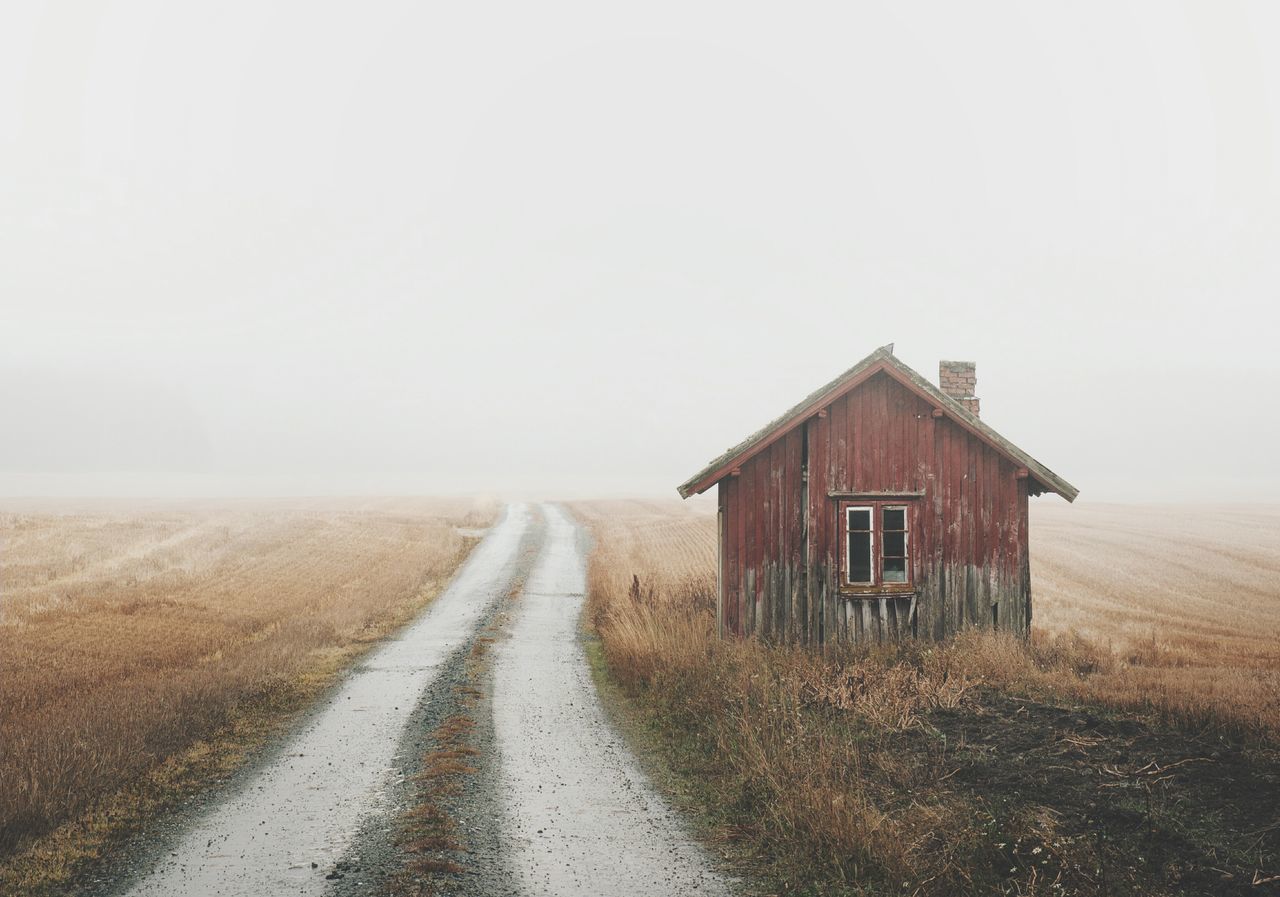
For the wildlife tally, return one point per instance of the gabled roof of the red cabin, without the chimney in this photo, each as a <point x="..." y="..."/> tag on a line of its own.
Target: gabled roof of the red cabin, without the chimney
<point x="880" y="360"/>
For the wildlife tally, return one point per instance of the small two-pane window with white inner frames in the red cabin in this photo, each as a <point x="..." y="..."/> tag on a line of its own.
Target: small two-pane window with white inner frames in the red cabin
<point x="877" y="547"/>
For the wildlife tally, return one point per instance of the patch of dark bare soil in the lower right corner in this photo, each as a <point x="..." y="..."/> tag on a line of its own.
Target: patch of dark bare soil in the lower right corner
<point x="1109" y="804"/>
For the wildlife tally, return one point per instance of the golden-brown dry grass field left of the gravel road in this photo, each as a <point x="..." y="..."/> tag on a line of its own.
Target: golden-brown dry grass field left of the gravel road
<point x="132" y="637"/>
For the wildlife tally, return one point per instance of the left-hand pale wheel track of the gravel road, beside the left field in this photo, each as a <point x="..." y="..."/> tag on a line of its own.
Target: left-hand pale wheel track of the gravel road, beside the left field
<point x="282" y="831"/>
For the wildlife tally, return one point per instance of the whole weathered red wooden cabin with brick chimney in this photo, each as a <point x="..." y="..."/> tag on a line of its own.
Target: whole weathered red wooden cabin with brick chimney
<point x="879" y="507"/>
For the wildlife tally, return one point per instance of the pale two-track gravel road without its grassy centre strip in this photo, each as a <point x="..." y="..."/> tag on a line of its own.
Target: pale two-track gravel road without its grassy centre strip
<point x="560" y="808"/>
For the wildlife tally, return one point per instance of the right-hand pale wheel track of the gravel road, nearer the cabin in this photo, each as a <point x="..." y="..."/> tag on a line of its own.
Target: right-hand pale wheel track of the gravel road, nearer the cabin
<point x="579" y="816"/>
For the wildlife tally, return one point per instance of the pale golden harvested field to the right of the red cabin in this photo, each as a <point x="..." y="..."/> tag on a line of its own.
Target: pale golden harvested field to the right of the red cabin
<point x="1183" y="605"/>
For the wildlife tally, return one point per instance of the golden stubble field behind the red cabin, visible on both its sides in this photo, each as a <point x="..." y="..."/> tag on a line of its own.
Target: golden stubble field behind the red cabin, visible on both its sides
<point x="1173" y="610"/>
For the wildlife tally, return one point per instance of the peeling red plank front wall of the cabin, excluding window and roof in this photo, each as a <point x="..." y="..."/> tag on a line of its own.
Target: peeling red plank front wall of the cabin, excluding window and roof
<point x="970" y="548"/>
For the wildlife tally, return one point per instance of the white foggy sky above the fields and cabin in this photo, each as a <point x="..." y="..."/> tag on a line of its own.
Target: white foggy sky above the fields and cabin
<point x="381" y="248"/>
